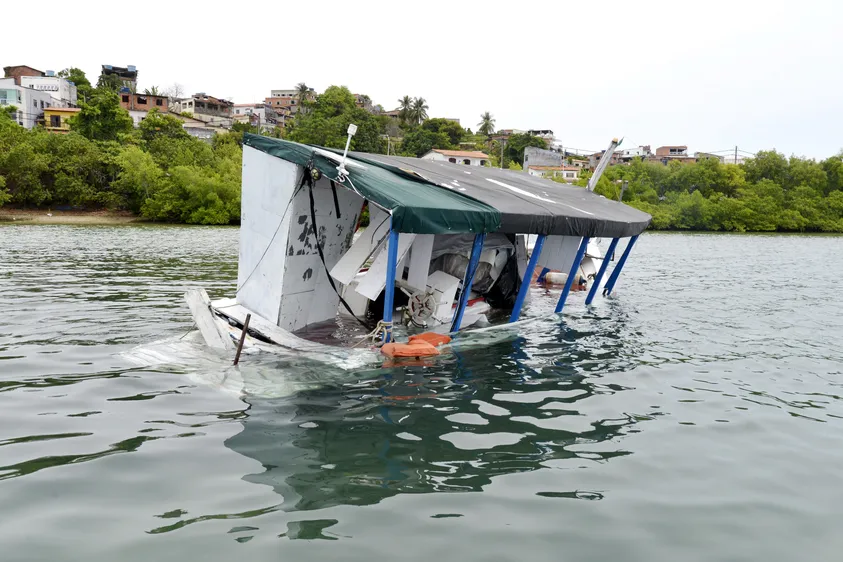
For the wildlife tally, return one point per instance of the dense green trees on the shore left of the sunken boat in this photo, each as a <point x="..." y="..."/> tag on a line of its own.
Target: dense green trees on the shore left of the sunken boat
<point x="157" y="171"/>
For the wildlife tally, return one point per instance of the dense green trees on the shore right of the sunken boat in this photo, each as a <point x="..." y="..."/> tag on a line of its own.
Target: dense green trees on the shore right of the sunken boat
<point x="767" y="193"/>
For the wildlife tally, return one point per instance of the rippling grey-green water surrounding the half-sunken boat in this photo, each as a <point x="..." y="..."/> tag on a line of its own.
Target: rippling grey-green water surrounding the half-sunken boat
<point x="695" y="415"/>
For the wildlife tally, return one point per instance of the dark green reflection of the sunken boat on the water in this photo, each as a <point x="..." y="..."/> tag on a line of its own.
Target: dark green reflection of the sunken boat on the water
<point x="449" y="426"/>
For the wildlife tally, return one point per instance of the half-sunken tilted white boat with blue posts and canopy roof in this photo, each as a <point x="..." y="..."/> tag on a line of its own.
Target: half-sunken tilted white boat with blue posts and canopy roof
<point x="447" y="247"/>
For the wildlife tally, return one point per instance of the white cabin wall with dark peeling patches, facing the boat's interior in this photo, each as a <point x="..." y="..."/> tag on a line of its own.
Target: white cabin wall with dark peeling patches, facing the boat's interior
<point x="308" y="297"/>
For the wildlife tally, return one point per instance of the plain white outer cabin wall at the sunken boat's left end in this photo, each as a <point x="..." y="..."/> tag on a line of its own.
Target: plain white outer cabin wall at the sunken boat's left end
<point x="268" y="185"/>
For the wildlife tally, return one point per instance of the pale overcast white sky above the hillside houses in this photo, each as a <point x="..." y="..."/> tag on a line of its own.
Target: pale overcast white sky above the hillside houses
<point x="711" y="75"/>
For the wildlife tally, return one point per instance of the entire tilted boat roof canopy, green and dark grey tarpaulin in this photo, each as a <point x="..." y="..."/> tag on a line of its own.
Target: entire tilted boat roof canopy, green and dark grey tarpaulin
<point x="433" y="197"/>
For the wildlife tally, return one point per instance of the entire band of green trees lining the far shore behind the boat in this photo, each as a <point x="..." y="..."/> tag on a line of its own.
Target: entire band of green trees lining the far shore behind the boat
<point x="161" y="173"/>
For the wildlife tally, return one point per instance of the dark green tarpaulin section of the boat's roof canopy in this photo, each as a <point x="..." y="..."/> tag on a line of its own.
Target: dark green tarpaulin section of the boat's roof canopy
<point x="417" y="205"/>
